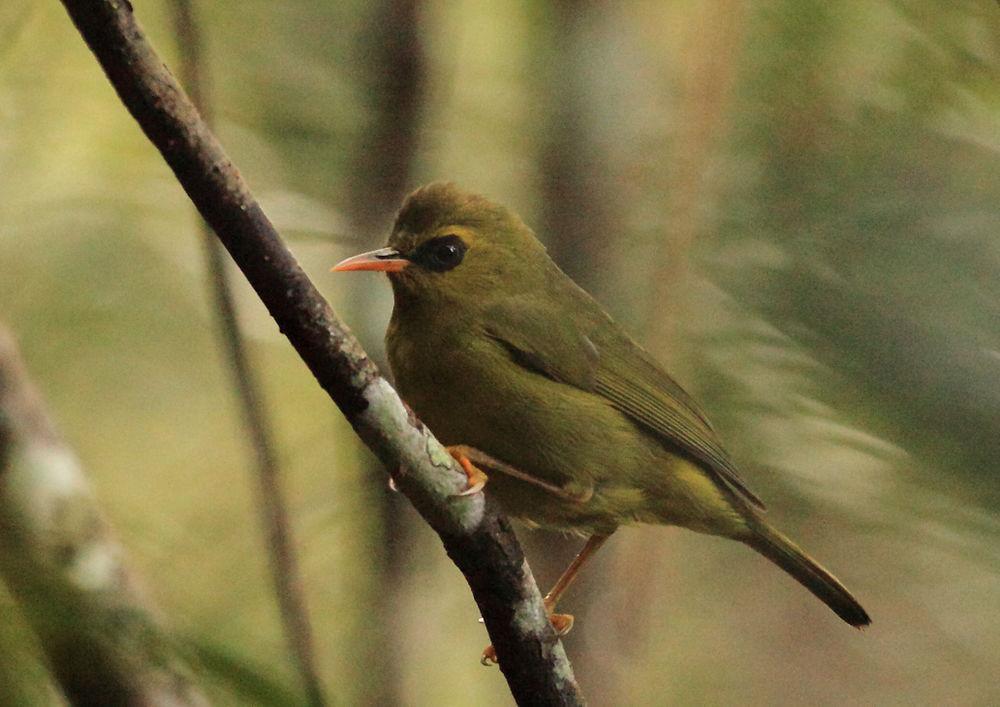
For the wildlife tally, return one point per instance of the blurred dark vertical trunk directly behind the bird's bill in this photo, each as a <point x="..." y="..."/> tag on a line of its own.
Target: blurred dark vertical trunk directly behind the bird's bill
<point x="391" y="57"/>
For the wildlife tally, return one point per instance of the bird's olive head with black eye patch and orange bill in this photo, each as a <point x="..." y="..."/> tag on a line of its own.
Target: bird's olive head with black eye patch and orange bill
<point x="448" y="245"/>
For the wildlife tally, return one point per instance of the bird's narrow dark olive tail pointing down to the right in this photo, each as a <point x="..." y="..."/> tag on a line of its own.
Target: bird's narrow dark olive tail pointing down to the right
<point x="807" y="572"/>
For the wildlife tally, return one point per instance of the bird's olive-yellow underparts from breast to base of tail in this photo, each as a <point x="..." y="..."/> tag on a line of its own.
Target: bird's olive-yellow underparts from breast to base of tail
<point x="562" y="435"/>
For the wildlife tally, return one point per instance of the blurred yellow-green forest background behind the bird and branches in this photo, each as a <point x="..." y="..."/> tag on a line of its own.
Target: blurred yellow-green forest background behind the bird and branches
<point x="793" y="202"/>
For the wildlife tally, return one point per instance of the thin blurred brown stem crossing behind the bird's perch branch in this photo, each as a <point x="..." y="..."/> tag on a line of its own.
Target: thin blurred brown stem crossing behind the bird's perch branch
<point x="274" y="515"/>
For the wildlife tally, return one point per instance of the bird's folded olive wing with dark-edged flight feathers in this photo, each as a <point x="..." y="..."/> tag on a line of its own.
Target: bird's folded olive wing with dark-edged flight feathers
<point x="599" y="358"/>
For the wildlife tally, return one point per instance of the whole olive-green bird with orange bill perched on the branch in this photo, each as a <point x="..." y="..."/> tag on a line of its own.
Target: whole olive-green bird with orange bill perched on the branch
<point x="523" y="373"/>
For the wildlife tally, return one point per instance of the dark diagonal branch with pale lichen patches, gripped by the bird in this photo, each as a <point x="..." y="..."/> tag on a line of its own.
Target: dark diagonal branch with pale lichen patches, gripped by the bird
<point x="478" y="540"/>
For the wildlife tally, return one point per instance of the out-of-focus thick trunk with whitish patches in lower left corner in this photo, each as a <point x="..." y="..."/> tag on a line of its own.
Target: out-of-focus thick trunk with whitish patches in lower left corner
<point x="63" y="565"/>
